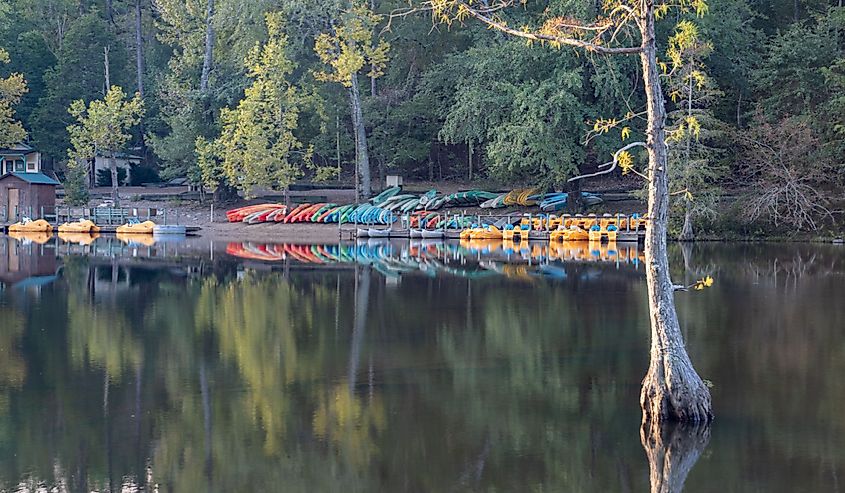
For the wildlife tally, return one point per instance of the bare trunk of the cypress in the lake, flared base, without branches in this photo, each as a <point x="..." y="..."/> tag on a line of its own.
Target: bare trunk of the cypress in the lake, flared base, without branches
<point x="671" y="390"/>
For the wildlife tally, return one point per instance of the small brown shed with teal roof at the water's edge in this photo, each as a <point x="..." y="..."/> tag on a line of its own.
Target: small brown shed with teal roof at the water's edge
<point x="26" y="195"/>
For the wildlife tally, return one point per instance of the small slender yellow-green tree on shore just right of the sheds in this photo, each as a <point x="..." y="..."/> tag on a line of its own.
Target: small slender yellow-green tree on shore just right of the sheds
<point x="102" y="127"/>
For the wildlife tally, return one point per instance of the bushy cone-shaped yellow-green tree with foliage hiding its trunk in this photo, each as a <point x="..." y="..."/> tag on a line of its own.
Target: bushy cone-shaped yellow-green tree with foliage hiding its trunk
<point x="257" y="146"/>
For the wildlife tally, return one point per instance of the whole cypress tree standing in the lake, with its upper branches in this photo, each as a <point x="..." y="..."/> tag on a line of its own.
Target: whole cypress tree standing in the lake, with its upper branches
<point x="672" y="390"/>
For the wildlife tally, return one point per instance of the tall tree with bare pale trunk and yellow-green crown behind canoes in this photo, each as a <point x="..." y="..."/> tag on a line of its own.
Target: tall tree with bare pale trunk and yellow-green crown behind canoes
<point x="347" y="50"/>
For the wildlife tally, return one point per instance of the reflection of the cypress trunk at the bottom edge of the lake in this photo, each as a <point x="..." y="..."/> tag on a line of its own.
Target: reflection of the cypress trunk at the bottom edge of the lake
<point x="672" y="452"/>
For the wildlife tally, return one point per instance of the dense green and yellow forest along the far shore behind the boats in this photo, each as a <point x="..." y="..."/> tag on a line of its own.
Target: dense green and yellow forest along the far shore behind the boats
<point x="238" y="94"/>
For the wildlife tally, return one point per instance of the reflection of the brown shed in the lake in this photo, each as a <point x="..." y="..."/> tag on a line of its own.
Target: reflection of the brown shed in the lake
<point x="25" y="264"/>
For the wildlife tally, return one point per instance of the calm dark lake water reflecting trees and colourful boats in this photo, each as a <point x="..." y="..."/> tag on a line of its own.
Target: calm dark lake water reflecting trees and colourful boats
<point x="405" y="367"/>
